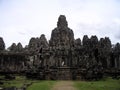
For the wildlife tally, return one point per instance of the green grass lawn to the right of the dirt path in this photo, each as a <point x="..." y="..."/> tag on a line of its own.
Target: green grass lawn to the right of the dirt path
<point x="107" y="84"/>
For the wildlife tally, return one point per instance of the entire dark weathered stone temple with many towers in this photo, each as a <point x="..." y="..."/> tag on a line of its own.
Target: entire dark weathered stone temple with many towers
<point x="62" y="57"/>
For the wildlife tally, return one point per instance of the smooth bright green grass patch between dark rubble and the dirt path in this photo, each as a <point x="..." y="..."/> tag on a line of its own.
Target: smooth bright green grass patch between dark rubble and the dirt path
<point x="42" y="85"/>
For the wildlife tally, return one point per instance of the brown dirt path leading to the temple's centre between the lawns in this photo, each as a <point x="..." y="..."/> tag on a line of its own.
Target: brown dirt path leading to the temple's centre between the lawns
<point x="63" y="85"/>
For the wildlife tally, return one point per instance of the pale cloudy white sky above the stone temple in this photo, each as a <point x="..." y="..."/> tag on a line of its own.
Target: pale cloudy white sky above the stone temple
<point x="22" y="19"/>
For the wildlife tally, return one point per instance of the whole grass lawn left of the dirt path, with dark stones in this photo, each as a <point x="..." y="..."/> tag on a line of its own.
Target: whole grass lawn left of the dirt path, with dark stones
<point x="21" y="80"/>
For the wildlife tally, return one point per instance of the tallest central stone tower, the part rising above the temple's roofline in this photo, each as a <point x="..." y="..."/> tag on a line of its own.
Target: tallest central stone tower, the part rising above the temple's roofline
<point x="62" y="36"/>
